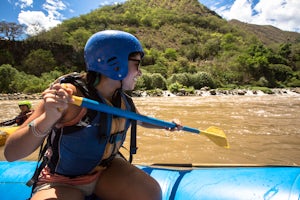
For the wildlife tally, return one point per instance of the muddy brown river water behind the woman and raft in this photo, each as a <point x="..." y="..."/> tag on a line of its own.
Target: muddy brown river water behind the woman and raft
<point x="261" y="130"/>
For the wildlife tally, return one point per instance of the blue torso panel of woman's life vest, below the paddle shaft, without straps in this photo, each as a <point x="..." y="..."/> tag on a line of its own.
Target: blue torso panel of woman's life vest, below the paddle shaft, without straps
<point x="78" y="152"/>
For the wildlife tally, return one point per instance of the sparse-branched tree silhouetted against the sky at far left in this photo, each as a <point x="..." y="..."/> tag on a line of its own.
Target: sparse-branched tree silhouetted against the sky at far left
<point x="11" y="30"/>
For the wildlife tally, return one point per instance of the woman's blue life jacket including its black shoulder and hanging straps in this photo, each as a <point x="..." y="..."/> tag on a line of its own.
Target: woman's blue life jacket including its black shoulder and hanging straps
<point x="95" y="140"/>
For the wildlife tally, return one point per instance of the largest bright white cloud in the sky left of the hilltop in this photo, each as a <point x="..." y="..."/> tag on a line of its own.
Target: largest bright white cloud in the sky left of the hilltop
<point x="37" y="21"/>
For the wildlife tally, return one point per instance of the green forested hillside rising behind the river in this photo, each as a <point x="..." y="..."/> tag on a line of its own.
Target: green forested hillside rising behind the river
<point x="186" y="44"/>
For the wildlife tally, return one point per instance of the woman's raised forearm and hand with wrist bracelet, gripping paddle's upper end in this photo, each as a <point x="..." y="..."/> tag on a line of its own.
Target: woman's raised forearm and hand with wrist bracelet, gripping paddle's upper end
<point x="27" y="139"/>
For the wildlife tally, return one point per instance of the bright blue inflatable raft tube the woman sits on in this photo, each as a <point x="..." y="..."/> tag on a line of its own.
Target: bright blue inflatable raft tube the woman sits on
<point x="208" y="183"/>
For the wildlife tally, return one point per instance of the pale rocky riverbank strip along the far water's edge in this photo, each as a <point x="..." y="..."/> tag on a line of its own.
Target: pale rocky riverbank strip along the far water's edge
<point x="202" y="92"/>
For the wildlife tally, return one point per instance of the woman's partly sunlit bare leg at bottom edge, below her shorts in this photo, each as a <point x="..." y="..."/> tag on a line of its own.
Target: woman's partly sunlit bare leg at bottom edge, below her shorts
<point x="59" y="193"/>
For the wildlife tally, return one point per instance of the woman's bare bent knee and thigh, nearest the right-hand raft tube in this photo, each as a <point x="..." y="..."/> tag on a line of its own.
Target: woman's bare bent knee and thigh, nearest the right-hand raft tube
<point x="123" y="181"/>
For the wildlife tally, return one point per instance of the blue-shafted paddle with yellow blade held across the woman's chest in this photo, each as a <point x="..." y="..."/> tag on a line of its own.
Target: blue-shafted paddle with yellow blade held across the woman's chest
<point x="213" y="133"/>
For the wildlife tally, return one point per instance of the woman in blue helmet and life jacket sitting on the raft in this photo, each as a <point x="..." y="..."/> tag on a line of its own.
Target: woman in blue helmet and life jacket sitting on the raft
<point x="81" y="155"/>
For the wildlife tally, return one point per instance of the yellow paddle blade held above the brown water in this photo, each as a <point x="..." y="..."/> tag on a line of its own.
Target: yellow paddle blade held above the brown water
<point x="216" y="135"/>
